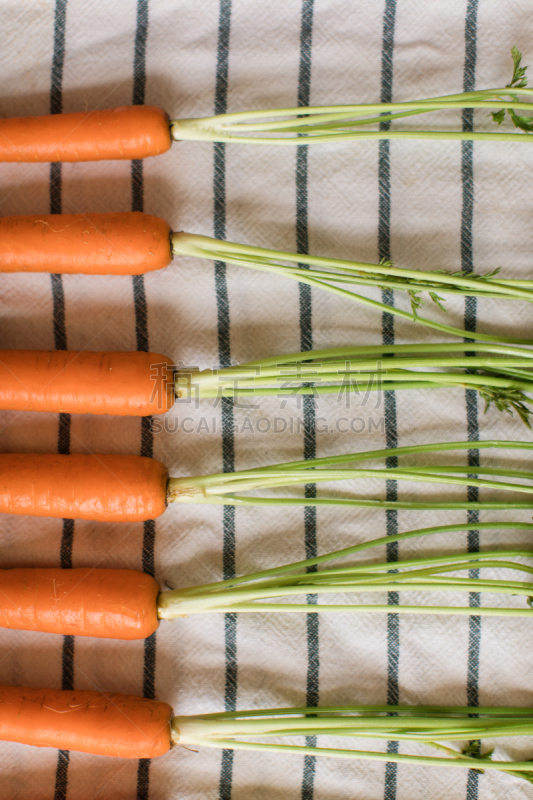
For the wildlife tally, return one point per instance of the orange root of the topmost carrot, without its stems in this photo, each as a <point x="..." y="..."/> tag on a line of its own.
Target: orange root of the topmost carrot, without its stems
<point x="127" y="132"/>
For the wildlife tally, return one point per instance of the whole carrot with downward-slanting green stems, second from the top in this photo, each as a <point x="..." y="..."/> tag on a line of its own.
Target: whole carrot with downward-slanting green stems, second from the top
<point x="133" y="243"/>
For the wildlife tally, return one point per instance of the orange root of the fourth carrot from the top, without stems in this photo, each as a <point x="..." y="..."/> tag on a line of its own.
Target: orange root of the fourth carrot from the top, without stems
<point x="109" y="488"/>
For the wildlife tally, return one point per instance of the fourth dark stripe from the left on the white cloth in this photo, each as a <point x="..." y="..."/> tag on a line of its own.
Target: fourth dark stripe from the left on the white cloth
<point x="309" y="409"/>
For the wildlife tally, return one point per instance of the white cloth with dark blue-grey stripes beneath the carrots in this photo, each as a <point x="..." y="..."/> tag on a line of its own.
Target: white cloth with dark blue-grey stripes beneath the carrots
<point x="441" y="205"/>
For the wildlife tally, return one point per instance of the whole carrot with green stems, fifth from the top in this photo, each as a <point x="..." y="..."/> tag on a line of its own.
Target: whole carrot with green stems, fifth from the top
<point x="125" y="604"/>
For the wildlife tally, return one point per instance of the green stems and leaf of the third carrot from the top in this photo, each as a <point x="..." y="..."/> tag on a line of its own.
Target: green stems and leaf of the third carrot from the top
<point x="501" y="374"/>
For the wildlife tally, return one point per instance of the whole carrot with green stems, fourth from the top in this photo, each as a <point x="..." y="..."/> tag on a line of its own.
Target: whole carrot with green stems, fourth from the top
<point x="134" y="488"/>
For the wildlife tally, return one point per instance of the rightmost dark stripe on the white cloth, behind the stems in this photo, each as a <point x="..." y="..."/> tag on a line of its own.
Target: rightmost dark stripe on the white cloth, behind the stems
<point x="470" y="321"/>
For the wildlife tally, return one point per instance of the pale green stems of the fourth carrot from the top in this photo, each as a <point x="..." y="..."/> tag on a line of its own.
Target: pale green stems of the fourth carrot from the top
<point x="225" y="488"/>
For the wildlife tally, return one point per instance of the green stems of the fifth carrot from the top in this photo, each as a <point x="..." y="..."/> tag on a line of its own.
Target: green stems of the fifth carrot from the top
<point x="246" y="594"/>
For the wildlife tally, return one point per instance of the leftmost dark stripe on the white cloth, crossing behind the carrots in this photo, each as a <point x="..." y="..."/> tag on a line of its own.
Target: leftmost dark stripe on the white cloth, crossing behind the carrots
<point x="60" y="343"/>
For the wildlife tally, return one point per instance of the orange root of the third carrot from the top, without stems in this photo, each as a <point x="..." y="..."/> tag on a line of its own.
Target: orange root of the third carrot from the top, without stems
<point x="129" y="384"/>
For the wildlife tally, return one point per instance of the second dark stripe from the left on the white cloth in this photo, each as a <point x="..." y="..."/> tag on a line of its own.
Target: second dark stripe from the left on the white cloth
<point x="141" y="335"/>
